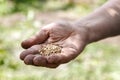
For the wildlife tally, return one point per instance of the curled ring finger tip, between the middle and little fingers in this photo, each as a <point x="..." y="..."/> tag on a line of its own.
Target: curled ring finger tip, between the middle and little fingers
<point x="40" y="61"/>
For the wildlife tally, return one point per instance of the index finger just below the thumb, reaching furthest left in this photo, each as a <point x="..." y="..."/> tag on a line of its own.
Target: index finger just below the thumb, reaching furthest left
<point x="33" y="50"/>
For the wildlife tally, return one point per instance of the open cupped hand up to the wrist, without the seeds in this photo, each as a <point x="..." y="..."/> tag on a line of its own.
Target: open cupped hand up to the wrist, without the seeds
<point x="72" y="38"/>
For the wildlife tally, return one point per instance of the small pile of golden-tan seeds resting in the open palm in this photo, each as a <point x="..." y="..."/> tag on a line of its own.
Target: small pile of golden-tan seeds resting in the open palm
<point x="50" y="49"/>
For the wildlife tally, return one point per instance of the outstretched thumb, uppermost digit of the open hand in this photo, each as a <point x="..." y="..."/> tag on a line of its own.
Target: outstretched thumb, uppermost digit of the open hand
<point x="37" y="39"/>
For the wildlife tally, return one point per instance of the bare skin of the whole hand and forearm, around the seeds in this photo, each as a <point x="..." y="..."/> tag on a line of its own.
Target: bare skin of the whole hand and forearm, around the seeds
<point x="73" y="37"/>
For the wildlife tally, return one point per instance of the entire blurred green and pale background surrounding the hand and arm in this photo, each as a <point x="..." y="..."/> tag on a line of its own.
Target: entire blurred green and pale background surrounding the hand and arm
<point x="19" y="19"/>
